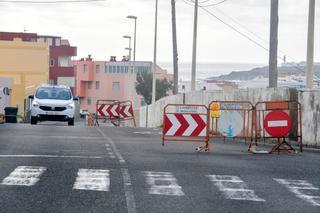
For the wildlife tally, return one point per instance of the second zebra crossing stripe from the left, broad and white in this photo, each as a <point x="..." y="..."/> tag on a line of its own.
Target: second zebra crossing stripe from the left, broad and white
<point x="92" y="179"/>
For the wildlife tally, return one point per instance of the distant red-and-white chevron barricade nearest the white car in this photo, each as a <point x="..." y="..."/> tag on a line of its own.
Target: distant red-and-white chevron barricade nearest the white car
<point x="107" y="110"/>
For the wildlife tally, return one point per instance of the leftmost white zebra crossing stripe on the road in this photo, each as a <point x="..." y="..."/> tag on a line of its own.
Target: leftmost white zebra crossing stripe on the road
<point x="24" y="176"/>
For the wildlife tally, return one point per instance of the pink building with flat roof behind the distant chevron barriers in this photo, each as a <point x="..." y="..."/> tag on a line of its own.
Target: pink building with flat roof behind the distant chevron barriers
<point x="110" y="80"/>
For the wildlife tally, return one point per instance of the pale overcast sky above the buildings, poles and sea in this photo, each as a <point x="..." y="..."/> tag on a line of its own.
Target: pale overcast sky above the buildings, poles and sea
<point x="97" y="28"/>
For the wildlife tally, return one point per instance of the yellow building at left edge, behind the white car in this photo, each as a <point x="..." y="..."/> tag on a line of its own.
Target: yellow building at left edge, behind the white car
<point x="27" y="63"/>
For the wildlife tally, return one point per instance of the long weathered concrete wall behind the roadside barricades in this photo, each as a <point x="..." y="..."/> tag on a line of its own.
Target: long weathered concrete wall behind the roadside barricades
<point x="152" y="115"/>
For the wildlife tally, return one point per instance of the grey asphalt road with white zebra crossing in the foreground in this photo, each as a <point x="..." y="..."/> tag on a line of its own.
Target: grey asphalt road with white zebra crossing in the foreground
<point x="55" y="168"/>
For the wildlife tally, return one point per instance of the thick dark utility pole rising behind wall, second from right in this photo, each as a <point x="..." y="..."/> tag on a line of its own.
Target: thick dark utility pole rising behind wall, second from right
<point x="273" y="50"/>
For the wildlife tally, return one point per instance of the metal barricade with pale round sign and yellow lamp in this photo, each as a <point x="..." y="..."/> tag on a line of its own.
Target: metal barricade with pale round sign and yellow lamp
<point x="231" y="119"/>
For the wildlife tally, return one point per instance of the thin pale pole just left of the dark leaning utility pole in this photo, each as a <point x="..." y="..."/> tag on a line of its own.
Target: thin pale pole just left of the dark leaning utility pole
<point x="155" y="56"/>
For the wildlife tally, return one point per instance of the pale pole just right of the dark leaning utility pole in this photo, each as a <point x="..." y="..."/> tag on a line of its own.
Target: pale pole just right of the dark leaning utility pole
<point x="194" y="49"/>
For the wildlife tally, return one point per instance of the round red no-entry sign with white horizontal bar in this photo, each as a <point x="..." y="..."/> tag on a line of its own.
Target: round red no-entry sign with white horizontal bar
<point x="277" y="123"/>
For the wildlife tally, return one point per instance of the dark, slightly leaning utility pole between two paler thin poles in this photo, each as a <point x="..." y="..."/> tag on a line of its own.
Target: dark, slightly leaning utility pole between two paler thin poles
<point x="175" y="49"/>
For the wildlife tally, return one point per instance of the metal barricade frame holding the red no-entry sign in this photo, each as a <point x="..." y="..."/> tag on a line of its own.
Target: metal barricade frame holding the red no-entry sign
<point x="280" y="120"/>
